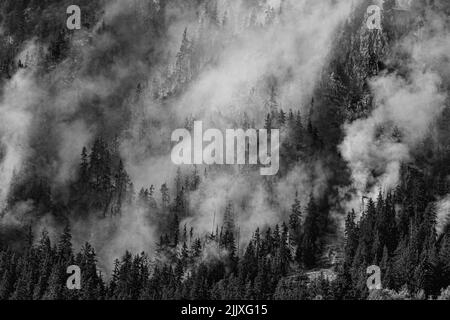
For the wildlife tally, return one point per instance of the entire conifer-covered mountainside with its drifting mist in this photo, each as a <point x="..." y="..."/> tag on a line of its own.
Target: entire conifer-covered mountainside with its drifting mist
<point x="364" y="155"/>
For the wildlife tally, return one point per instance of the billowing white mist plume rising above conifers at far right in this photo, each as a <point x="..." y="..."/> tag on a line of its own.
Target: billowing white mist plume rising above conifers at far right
<point x="405" y="110"/>
